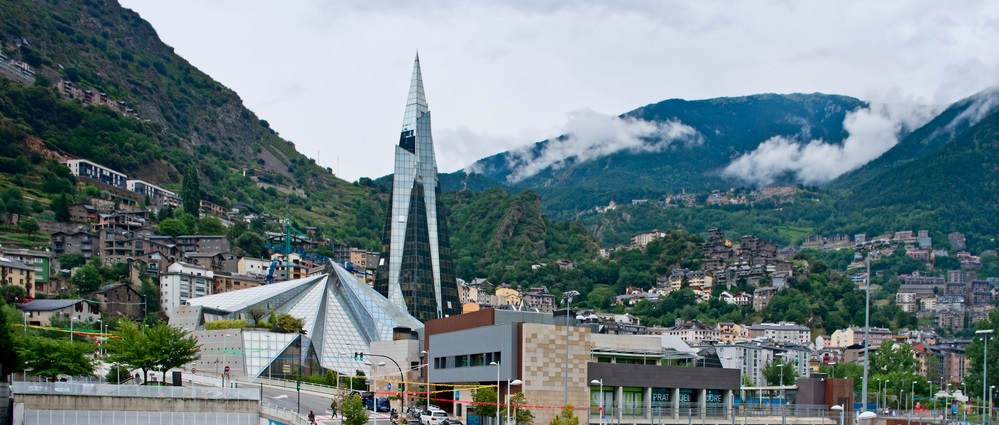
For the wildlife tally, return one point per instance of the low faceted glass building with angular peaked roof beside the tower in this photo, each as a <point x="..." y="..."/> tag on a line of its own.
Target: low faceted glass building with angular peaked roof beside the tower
<point x="342" y="315"/>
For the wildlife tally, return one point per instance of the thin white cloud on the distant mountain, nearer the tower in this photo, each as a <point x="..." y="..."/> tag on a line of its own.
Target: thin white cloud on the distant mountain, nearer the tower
<point x="589" y="135"/>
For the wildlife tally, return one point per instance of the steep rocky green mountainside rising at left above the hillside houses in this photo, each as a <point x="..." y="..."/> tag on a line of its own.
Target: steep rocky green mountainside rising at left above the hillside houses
<point x="182" y="118"/>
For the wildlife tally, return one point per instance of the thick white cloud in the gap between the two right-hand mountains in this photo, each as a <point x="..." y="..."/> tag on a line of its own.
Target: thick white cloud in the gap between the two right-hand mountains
<point x="872" y="131"/>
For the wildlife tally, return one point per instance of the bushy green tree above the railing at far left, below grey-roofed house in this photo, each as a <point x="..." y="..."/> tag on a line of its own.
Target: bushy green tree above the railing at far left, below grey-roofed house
<point x="49" y="357"/>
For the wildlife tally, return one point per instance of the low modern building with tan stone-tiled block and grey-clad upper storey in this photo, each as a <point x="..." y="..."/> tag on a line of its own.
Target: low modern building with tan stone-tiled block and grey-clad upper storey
<point x="638" y="373"/>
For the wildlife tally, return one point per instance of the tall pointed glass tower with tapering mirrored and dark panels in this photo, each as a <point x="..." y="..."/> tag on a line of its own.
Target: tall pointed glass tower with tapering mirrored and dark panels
<point x="416" y="270"/>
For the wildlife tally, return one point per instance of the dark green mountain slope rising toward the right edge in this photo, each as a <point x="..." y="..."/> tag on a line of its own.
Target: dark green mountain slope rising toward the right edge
<point x="952" y="188"/>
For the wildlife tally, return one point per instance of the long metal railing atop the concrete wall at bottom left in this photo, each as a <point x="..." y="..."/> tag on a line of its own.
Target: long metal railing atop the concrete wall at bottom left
<point x="152" y="391"/>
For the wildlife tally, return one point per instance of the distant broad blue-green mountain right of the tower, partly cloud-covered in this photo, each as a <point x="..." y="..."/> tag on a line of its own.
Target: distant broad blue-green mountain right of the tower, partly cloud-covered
<point x="725" y="129"/>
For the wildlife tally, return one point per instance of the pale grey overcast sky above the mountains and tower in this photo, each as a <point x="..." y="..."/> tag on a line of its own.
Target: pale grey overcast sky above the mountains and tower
<point x="332" y="76"/>
